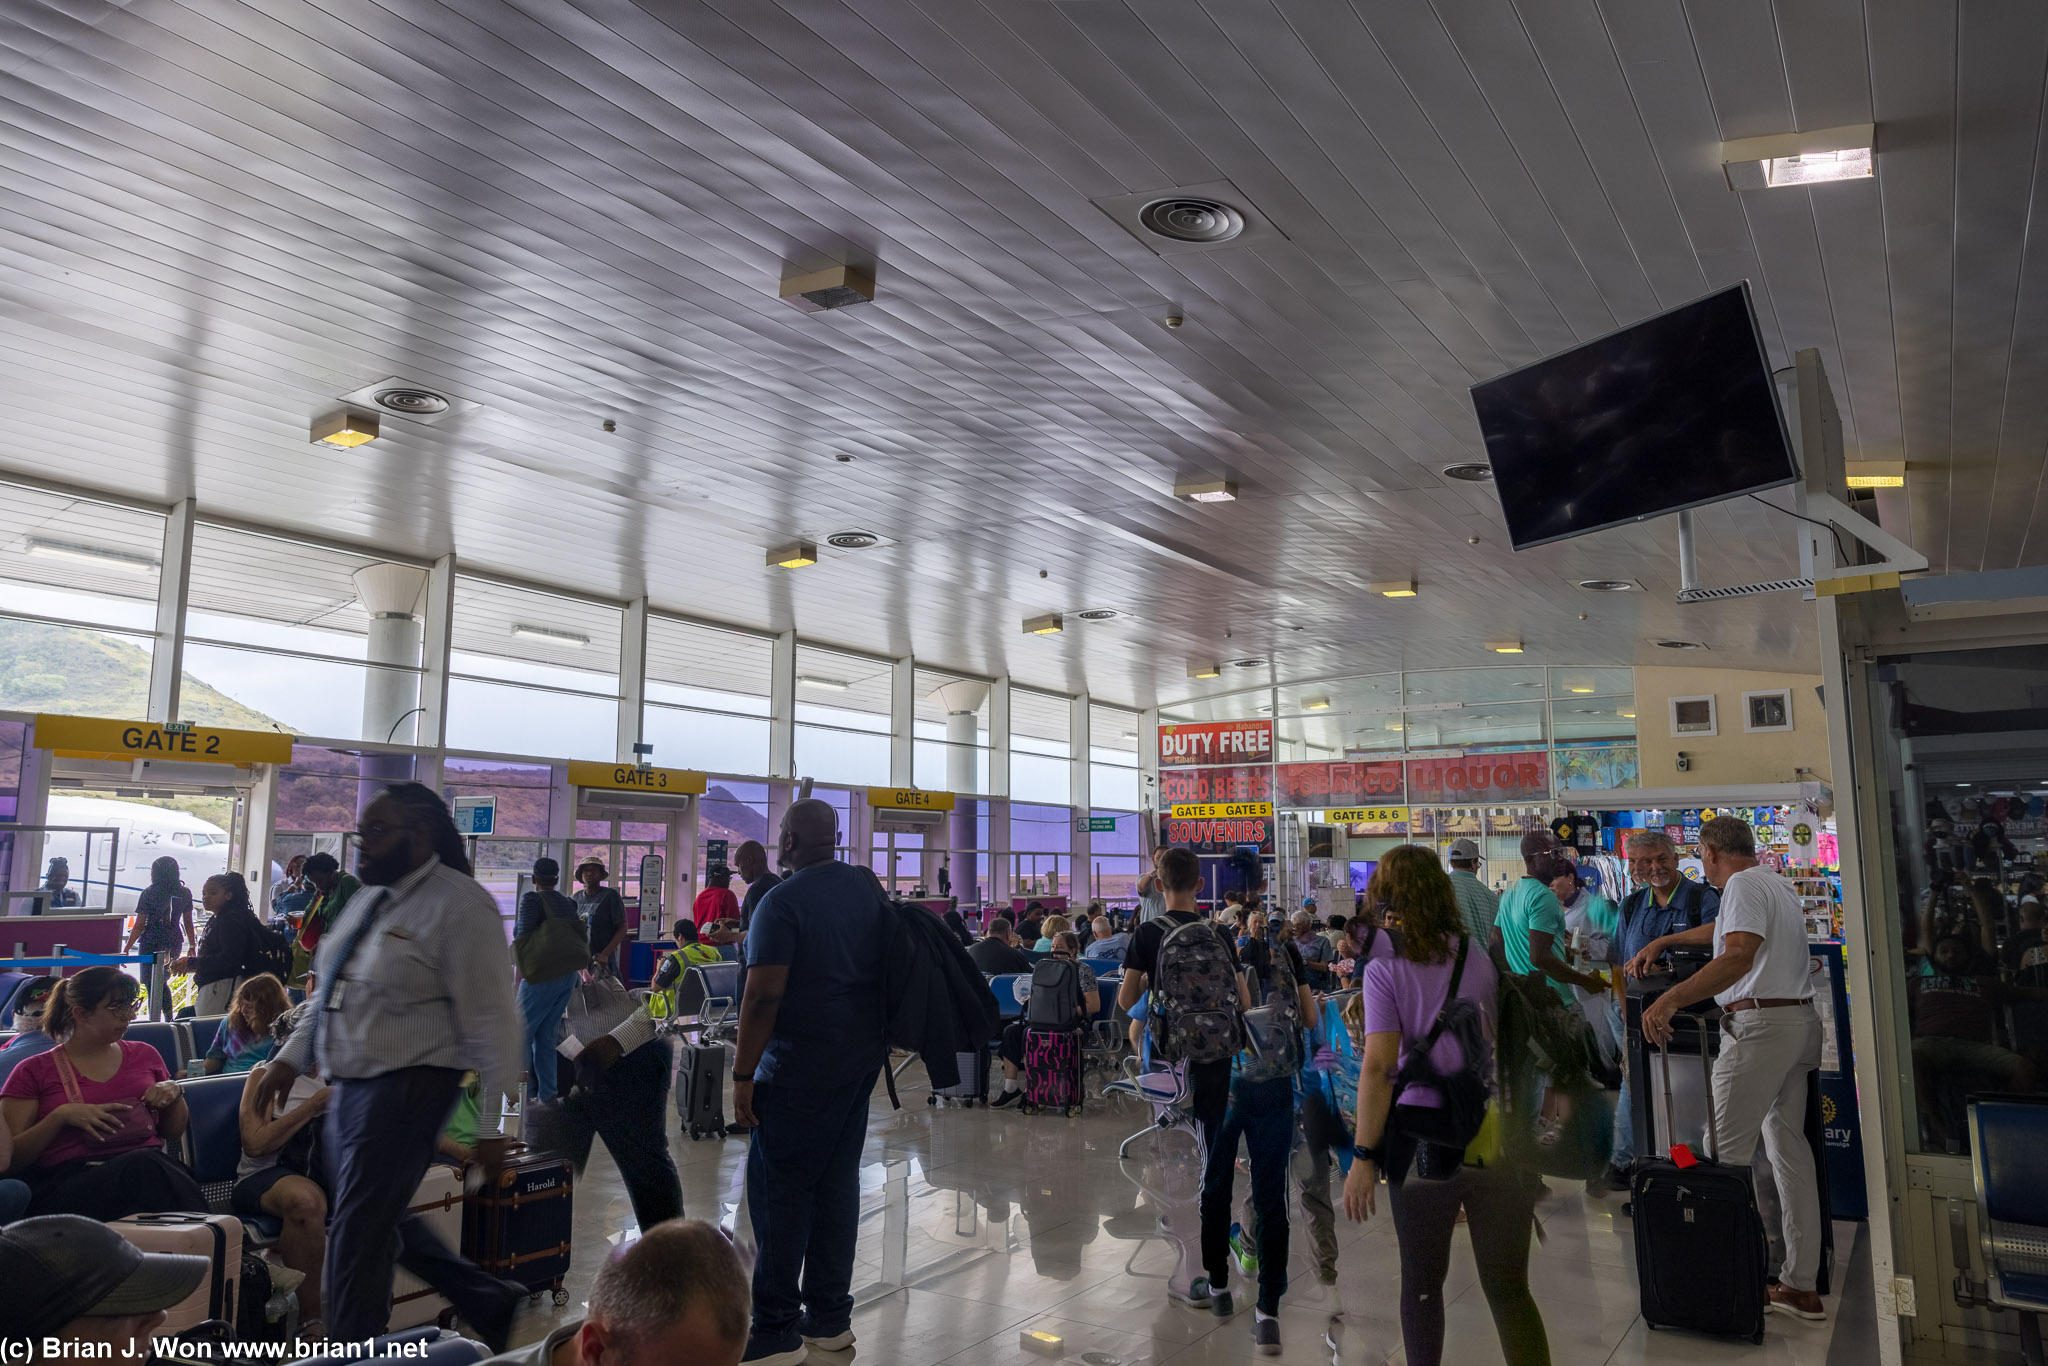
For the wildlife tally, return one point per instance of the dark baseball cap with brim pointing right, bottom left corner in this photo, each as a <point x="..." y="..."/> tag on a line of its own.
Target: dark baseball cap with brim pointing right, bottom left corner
<point x="79" y="1267"/>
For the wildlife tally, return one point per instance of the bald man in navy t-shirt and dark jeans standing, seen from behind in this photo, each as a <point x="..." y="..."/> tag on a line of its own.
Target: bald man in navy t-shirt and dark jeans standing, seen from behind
<point x="810" y="1052"/>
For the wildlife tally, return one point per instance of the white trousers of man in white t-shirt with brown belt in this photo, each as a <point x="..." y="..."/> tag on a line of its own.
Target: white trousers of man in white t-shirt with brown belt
<point x="1760" y="1093"/>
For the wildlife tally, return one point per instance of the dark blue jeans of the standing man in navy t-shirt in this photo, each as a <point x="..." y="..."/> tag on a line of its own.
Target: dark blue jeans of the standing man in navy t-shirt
<point x="804" y="1191"/>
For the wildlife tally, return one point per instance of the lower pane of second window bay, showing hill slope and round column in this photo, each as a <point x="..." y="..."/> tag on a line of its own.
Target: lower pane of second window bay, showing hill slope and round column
<point x="261" y="691"/>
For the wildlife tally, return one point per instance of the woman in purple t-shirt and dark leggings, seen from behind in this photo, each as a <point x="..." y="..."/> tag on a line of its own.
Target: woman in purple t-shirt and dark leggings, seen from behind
<point x="1404" y="996"/>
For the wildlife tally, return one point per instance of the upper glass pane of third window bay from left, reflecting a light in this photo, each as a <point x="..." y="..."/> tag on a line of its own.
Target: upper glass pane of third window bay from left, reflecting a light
<point x="525" y="636"/>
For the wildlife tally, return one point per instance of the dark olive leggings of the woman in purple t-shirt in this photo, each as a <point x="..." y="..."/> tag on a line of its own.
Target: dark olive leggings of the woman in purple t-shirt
<point x="1500" y="1205"/>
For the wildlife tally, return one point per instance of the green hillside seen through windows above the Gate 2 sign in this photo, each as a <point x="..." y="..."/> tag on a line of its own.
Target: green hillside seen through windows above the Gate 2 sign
<point x="83" y="673"/>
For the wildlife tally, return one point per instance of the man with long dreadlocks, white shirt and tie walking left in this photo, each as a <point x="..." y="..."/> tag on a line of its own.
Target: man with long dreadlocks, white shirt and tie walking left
<point x="413" y="992"/>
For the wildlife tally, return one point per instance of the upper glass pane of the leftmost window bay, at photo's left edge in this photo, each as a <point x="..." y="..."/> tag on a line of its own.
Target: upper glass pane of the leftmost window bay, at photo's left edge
<point x="77" y="560"/>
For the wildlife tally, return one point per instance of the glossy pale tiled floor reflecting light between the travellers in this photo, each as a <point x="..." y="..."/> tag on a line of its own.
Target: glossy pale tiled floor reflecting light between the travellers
<point x="980" y="1226"/>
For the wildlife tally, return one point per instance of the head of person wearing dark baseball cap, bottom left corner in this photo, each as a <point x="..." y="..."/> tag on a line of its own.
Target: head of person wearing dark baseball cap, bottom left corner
<point x="83" y="1285"/>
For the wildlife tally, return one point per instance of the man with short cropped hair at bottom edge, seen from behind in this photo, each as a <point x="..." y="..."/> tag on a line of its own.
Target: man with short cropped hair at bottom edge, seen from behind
<point x="677" y="1293"/>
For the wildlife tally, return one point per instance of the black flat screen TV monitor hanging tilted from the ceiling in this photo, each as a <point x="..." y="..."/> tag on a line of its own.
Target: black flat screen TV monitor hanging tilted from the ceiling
<point x="1668" y="415"/>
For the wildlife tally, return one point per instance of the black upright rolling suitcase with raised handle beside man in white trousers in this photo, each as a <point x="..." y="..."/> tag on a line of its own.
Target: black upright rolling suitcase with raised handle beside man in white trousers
<point x="1701" y="1252"/>
